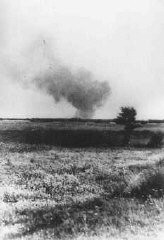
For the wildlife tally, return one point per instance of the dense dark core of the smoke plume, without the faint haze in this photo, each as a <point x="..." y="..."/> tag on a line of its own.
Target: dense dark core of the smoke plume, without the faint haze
<point x="80" y="89"/>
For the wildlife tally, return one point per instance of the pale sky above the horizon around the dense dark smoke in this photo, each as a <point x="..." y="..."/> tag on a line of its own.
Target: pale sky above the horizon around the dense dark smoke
<point x="121" y="42"/>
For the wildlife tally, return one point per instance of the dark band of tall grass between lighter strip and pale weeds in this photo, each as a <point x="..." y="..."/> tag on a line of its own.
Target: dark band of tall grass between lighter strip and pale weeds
<point x="77" y="137"/>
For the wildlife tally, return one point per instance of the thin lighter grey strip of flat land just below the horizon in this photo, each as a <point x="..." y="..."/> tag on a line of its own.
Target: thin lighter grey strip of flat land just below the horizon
<point x="71" y="124"/>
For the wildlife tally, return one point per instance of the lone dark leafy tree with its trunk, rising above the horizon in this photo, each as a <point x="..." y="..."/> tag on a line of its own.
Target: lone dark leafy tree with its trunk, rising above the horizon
<point x="127" y="117"/>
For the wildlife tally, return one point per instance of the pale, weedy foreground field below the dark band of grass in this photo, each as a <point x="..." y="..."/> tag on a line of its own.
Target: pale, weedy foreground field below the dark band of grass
<point x="95" y="193"/>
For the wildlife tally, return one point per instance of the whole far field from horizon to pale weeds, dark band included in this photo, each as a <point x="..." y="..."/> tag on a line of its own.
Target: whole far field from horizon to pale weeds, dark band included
<point x="75" y="133"/>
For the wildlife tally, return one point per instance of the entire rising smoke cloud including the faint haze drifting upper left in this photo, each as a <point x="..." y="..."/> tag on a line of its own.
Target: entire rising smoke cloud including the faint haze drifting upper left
<point x="41" y="69"/>
